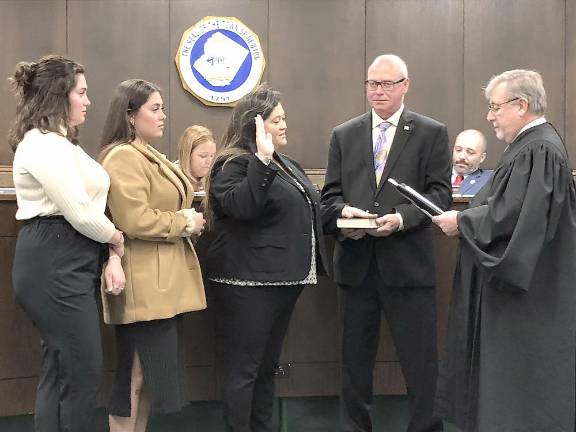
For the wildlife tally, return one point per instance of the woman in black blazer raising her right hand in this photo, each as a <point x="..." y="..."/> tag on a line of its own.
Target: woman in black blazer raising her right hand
<point x="268" y="245"/>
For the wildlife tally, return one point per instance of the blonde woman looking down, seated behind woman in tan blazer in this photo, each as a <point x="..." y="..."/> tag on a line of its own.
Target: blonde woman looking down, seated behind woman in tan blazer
<point x="196" y="150"/>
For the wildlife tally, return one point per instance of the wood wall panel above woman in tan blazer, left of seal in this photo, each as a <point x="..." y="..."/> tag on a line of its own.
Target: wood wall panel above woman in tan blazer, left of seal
<point x="116" y="41"/>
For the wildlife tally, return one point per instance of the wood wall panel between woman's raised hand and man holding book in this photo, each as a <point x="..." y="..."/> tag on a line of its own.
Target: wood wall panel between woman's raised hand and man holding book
<point x="317" y="62"/>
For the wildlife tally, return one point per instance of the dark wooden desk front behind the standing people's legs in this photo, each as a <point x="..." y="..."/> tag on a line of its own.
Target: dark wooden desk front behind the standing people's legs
<point x="312" y="345"/>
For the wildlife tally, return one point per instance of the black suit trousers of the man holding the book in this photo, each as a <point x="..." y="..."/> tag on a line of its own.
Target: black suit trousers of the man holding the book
<point x="411" y="316"/>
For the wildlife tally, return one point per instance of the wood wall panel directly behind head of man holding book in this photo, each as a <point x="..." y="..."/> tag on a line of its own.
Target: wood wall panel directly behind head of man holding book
<point x="427" y="34"/>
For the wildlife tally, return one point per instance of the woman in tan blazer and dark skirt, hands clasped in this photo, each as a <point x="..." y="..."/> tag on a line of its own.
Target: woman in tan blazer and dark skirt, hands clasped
<point x="149" y="200"/>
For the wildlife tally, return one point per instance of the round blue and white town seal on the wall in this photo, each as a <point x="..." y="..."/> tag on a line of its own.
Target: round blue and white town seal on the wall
<point x="220" y="60"/>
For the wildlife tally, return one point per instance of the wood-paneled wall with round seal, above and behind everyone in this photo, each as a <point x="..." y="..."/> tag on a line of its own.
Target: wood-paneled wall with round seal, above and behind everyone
<point x="317" y="52"/>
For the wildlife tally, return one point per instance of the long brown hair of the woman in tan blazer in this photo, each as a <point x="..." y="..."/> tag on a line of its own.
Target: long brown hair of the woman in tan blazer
<point x="129" y="96"/>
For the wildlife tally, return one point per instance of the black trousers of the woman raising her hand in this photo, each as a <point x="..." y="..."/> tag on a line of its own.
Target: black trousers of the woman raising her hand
<point x="251" y="325"/>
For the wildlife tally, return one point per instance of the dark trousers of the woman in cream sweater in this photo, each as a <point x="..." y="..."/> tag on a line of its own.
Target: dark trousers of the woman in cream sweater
<point x="55" y="276"/>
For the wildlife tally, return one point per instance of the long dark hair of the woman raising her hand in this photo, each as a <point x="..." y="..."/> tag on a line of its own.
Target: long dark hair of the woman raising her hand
<point x="240" y="137"/>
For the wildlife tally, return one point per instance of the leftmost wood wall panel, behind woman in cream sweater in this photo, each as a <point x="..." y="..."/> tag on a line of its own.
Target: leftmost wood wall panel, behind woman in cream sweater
<point x="29" y="29"/>
